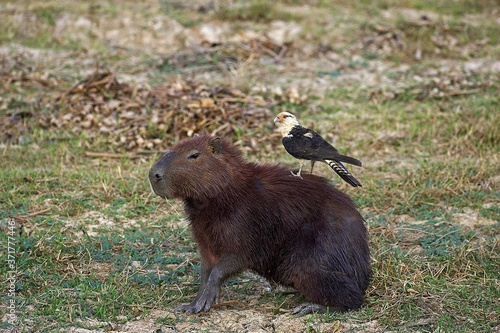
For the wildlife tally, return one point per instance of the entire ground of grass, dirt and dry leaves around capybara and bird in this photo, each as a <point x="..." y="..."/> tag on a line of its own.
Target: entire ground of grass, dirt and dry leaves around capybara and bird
<point x="91" y="94"/>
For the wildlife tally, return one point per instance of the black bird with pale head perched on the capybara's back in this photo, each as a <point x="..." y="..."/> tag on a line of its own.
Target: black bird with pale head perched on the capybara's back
<point x="305" y="144"/>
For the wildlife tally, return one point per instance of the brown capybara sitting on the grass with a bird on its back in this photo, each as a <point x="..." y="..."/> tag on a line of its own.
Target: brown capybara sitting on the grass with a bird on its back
<point x="299" y="232"/>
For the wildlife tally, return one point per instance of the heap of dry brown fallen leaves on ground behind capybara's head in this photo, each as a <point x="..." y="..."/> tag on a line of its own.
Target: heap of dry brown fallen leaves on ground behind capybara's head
<point x="136" y="117"/>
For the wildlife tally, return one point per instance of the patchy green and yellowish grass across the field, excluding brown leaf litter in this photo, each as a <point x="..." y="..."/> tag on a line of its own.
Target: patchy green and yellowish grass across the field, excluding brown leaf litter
<point x="95" y="249"/>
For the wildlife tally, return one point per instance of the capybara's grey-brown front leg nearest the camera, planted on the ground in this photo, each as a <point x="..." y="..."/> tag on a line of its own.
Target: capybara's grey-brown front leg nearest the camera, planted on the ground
<point x="212" y="279"/>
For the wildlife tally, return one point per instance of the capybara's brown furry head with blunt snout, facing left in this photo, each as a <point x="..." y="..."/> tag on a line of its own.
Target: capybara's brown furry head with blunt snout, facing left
<point x="195" y="168"/>
